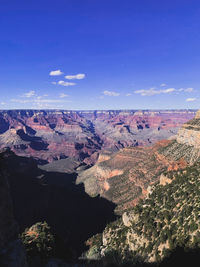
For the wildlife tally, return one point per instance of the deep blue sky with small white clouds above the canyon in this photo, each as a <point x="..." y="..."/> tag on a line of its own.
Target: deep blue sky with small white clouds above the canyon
<point x="99" y="54"/>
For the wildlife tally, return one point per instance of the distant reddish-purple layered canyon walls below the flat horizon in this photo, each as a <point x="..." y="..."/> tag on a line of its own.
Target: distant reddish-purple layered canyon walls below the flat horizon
<point x="52" y="135"/>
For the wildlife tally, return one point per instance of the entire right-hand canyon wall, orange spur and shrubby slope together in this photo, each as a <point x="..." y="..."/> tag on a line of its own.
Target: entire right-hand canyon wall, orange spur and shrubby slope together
<point x="164" y="225"/>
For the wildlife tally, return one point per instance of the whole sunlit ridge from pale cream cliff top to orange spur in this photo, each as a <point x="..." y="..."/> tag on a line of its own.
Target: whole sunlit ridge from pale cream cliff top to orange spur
<point x="127" y="175"/>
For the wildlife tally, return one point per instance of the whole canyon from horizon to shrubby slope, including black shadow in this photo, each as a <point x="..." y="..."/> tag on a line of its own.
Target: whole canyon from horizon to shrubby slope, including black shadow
<point x="89" y="166"/>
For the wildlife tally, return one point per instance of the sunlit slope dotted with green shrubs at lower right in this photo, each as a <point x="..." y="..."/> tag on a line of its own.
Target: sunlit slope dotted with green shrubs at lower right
<point x="167" y="219"/>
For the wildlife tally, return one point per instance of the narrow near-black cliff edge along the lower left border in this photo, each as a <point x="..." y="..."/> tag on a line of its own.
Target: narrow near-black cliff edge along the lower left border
<point x="12" y="253"/>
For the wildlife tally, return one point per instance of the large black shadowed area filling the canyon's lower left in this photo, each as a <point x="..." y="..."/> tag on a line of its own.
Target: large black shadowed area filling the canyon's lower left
<point x="53" y="197"/>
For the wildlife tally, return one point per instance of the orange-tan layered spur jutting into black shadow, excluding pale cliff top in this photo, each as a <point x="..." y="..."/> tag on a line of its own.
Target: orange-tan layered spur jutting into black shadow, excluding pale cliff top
<point x="126" y="176"/>
